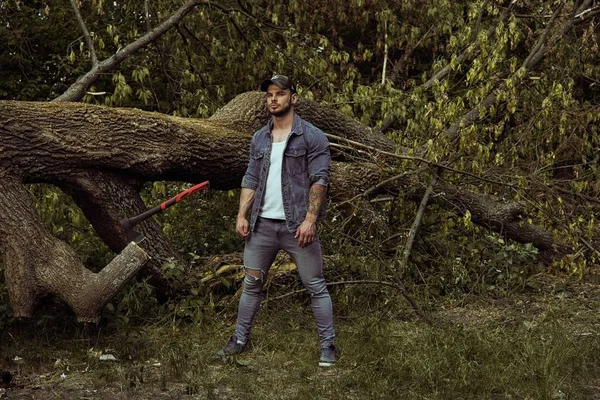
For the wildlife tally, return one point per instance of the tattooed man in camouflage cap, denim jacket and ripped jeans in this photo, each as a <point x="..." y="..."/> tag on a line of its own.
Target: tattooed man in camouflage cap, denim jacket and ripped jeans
<point x="285" y="186"/>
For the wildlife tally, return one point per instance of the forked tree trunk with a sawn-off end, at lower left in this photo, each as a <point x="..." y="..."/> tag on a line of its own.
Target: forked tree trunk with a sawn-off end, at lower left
<point x="38" y="264"/>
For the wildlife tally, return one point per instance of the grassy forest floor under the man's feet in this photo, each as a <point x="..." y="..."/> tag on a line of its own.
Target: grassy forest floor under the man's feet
<point x="542" y="344"/>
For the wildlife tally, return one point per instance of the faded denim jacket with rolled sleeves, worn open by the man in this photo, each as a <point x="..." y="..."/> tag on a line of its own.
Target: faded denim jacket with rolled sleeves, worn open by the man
<point x="306" y="161"/>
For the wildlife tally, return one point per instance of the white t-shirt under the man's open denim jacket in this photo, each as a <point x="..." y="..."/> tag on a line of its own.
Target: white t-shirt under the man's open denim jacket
<point x="272" y="206"/>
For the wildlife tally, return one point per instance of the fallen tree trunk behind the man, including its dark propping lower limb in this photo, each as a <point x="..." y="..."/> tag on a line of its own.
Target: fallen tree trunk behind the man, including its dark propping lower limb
<point x="75" y="143"/>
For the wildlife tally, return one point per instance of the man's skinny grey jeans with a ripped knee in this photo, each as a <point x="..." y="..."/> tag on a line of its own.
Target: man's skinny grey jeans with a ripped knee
<point x="262" y="245"/>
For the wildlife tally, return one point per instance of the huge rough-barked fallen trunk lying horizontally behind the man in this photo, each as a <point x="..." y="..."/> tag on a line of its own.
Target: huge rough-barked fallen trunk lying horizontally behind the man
<point x="67" y="138"/>
